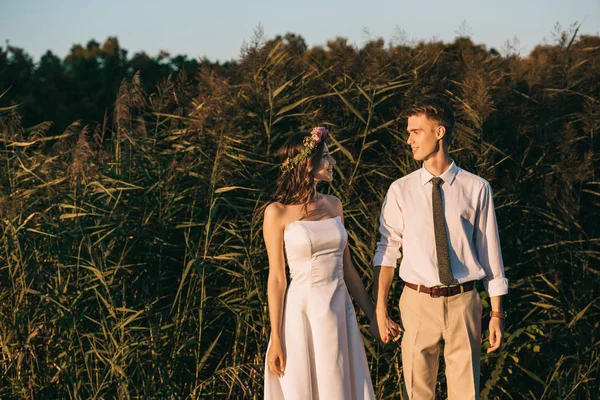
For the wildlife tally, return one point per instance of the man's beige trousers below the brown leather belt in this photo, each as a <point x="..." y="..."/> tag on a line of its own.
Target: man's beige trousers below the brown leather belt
<point x="430" y="322"/>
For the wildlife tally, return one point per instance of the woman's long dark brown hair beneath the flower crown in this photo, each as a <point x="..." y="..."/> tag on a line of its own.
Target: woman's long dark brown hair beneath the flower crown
<point x="297" y="185"/>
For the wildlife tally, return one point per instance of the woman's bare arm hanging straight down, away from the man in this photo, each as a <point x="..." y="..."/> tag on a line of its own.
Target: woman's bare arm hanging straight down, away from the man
<point x="276" y="284"/>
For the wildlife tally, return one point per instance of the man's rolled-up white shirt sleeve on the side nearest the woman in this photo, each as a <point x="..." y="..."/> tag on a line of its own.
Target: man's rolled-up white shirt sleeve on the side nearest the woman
<point x="391" y="228"/>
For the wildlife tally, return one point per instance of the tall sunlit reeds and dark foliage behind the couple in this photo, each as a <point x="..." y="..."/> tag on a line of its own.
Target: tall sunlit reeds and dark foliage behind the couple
<point x="131" y="256"/>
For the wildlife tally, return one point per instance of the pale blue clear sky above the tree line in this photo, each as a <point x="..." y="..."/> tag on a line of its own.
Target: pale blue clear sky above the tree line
<point x="217" y="29"/>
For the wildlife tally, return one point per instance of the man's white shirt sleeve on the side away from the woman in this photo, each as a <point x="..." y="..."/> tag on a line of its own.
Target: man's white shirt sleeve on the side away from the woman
<point x="487" y="244"/>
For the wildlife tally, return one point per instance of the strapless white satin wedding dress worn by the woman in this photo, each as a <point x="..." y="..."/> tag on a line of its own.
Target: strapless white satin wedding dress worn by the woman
<point x="325" y="354"/>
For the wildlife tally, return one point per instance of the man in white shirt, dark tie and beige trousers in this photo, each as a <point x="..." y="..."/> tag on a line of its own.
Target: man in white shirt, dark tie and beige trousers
<point x="442" y="218"/>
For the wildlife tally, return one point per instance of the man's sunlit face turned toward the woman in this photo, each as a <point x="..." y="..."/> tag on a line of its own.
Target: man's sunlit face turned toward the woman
<point x="424" y="136"/>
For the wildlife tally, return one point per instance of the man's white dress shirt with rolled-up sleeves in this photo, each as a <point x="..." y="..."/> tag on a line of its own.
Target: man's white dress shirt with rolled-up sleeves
<point x="407" y="222"/>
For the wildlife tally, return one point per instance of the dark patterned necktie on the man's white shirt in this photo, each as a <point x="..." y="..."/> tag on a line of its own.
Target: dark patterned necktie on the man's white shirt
<point x="441" y="240"/>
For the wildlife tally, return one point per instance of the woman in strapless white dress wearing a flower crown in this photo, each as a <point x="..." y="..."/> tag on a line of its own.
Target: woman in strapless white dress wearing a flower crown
<point x="315" y="350"/>
